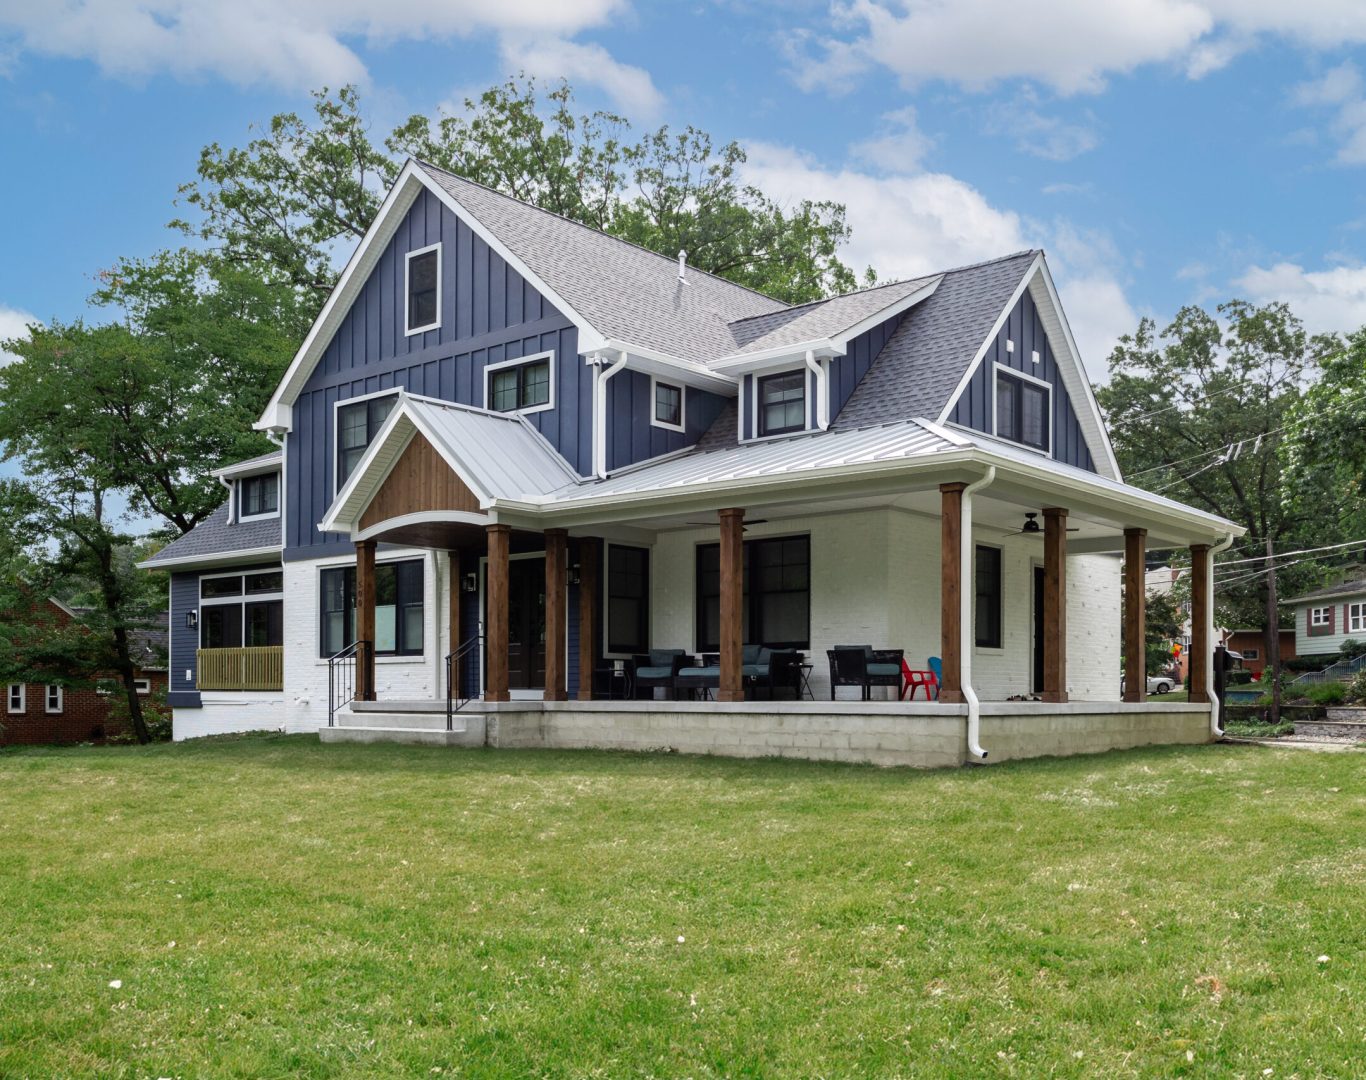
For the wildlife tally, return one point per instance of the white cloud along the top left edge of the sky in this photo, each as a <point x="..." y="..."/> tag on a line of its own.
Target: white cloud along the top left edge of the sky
<point x="297" y="46"/>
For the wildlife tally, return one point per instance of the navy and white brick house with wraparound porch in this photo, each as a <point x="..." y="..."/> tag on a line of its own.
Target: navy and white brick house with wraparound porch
<point x="517" y="453"/>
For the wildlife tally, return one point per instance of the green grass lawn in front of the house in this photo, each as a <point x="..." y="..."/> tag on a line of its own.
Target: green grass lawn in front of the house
<point x="273" y="907"/>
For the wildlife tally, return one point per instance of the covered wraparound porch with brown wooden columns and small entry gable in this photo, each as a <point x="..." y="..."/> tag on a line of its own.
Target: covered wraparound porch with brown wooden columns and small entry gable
<point x="551" y="608"/>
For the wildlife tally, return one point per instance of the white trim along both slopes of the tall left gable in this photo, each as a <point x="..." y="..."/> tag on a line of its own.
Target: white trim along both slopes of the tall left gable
<point x="410" y="182"/>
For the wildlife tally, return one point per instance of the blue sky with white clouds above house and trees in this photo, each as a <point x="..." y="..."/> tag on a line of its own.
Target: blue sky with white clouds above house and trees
<point x="1163" y="152"/>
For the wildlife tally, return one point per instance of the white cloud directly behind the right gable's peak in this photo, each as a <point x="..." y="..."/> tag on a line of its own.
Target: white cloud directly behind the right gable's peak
<point x="916" y="223"/>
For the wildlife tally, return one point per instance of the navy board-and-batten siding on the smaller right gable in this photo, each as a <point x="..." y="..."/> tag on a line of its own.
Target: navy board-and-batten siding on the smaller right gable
<point x="976" y="406"/>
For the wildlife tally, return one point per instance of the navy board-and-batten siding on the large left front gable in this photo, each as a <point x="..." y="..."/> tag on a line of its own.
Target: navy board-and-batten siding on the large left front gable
<point x="490" y="313"/>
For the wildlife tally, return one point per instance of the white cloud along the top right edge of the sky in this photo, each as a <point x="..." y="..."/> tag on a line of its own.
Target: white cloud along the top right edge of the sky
<point x="1072" y="46"/>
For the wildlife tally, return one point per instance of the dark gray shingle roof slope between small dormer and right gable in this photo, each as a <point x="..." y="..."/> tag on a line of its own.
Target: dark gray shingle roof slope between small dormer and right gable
<point x="920" y="368"/>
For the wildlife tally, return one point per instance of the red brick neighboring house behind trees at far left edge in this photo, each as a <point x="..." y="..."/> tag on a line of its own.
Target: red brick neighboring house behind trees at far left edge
<point x="43" y="715"/>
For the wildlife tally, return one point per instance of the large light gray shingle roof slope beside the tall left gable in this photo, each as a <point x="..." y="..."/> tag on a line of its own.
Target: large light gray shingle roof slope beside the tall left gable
<point x="625" y="292"/>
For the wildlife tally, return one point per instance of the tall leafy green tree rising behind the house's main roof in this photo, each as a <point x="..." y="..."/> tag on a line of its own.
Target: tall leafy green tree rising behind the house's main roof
<point x="307" y="189"/>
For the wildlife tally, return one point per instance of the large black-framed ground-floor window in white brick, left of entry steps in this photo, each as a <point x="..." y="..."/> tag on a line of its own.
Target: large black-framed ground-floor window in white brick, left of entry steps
<point x="398" y="610"/>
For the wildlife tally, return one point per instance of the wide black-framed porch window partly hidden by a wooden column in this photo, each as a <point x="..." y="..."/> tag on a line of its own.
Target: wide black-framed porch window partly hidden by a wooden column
<point x="777" y="607"/>
